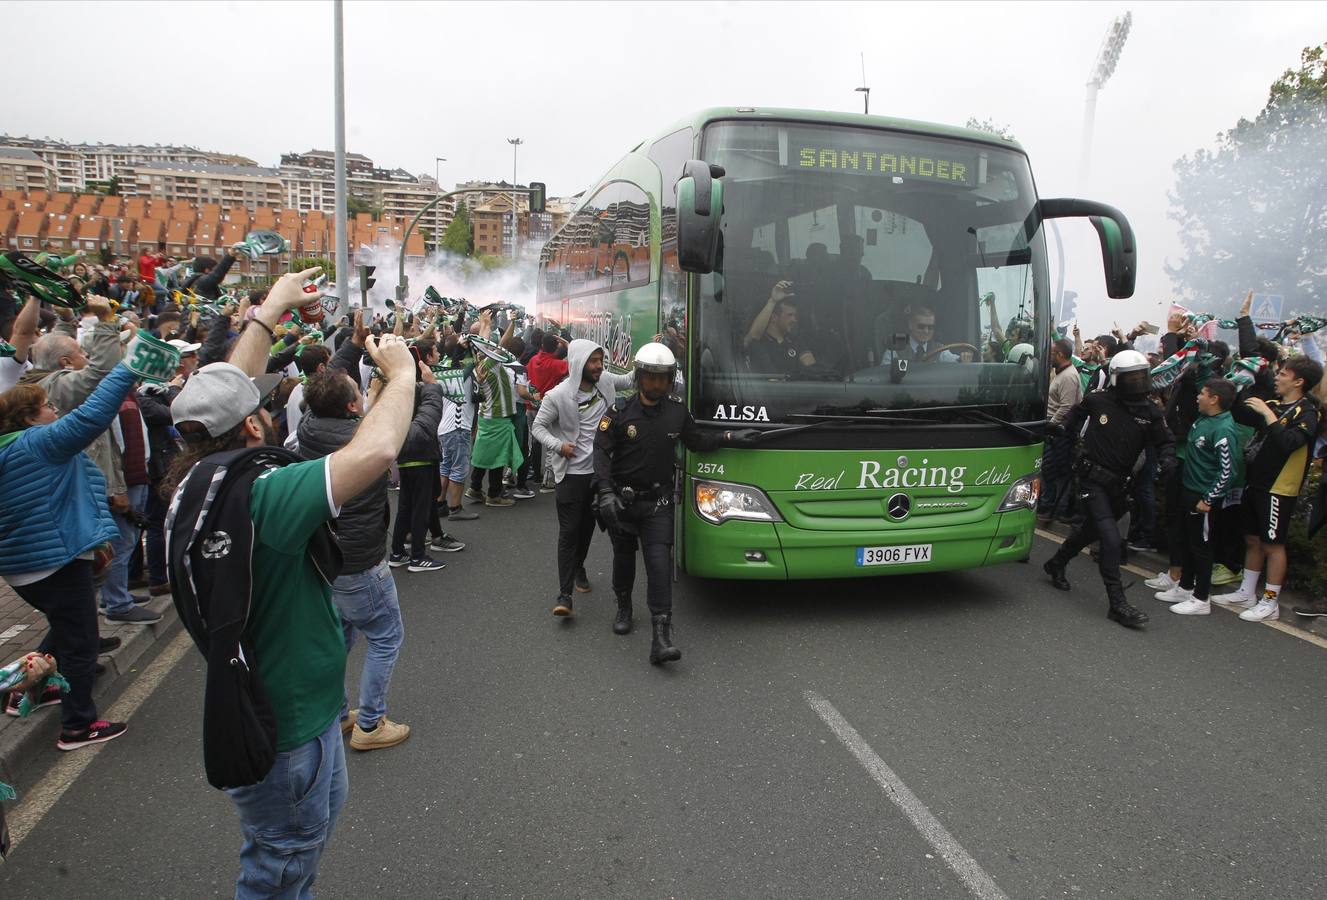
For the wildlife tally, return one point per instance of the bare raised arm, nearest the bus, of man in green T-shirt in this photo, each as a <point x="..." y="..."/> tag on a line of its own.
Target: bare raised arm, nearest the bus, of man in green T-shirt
<point x="380" y="436"/>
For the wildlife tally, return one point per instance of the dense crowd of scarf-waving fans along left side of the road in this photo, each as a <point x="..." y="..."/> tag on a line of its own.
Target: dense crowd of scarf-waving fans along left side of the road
<point x="92" y="453"/>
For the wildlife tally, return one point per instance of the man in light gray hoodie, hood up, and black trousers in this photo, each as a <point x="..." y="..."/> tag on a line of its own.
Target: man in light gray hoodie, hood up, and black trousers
<point x="566" y="427"/>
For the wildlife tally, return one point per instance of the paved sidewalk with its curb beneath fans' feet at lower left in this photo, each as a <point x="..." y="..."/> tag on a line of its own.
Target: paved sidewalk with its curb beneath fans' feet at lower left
<point x="22" y="629"/>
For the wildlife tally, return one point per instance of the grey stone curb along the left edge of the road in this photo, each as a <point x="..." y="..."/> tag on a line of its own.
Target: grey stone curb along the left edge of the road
<point x="26" y="740"/>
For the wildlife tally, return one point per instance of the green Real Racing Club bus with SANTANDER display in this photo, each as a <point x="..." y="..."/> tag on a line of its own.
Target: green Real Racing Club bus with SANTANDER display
<point x="873" y="295"/>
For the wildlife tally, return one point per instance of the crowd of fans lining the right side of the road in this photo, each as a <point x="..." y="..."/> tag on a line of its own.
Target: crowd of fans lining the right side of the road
<point x="1248" y="425"/>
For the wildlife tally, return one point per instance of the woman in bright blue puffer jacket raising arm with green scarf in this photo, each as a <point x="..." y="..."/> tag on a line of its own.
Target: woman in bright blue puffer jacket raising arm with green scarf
<point x="54" y="516"/>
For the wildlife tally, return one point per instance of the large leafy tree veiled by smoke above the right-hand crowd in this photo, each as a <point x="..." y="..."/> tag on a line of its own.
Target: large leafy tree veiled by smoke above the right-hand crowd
<point x="1253" y="212"/>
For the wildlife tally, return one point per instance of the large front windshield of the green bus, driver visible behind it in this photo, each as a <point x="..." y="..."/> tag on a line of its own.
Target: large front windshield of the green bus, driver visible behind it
<point x="870" y="270"/>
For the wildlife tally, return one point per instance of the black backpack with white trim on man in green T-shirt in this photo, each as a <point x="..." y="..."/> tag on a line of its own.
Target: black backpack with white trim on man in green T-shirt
<point x="210" y="544"/>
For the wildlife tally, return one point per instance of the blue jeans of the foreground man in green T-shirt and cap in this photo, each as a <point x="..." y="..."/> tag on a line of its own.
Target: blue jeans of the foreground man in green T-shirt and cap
<point x="289" y="818"/>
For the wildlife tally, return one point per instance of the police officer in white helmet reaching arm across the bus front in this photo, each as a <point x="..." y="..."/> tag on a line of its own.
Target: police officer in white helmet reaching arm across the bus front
<point x="635" y="451"/>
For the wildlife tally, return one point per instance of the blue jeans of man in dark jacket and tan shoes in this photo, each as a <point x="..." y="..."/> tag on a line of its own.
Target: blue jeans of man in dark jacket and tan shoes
<point x="368" y="606"/>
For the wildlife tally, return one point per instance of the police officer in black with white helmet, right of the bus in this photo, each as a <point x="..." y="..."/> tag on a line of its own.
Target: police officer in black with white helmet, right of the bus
<point x="1122" y="423"/>
